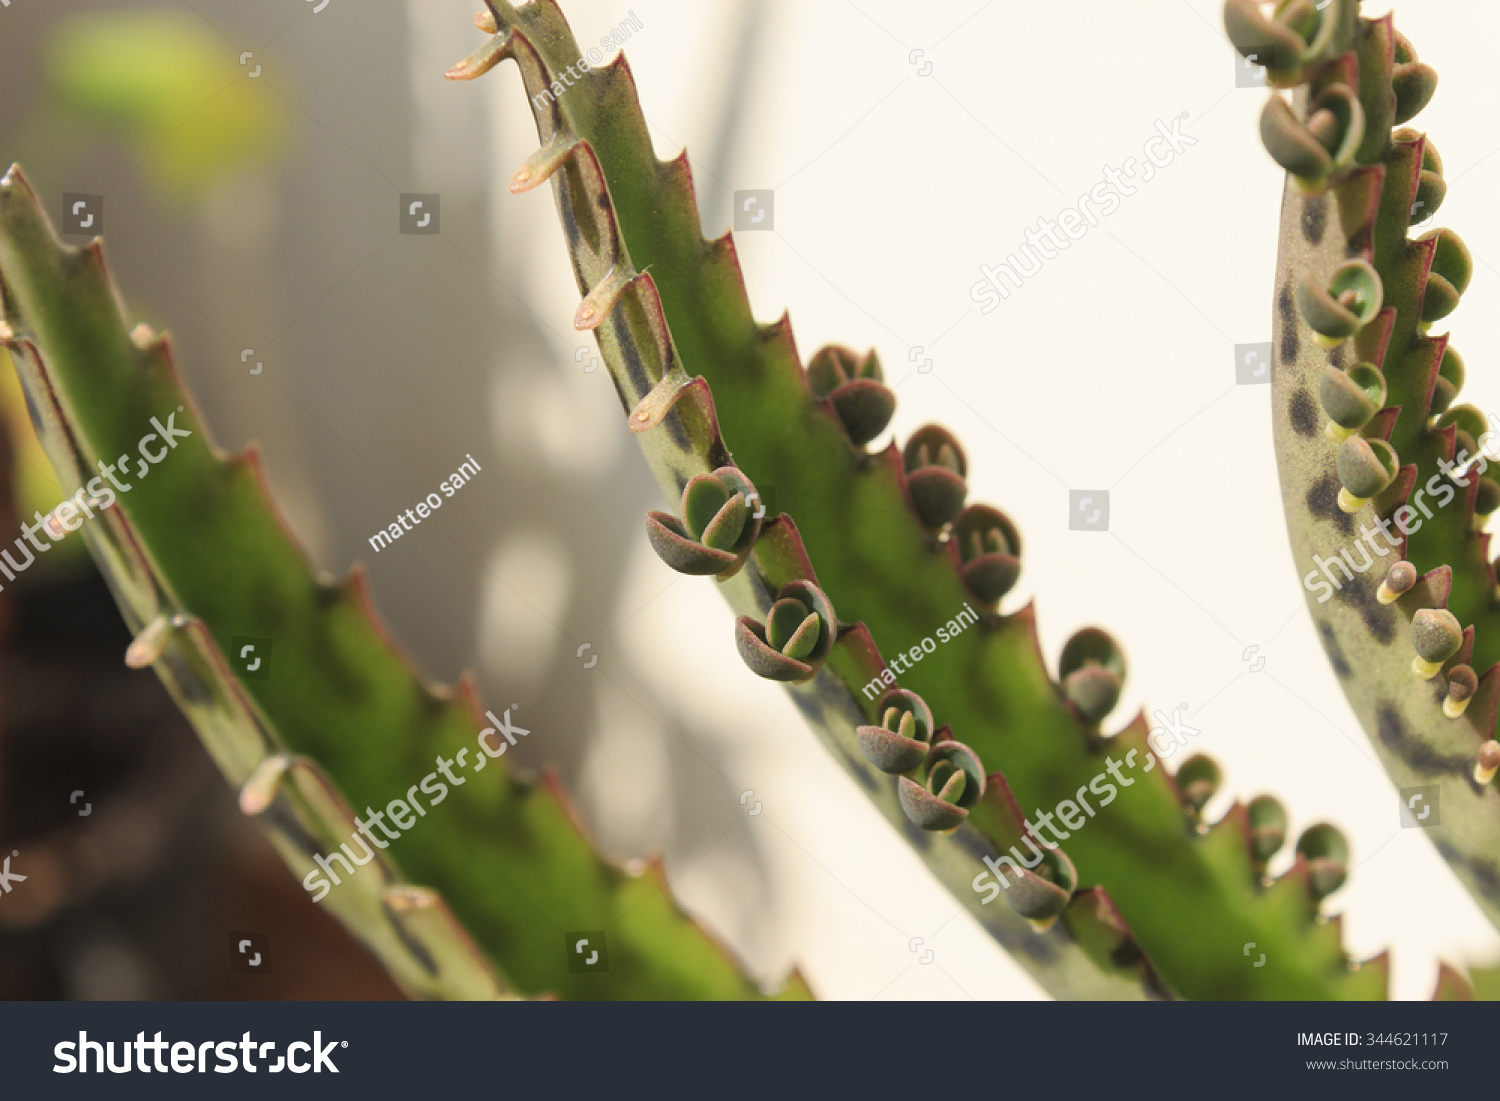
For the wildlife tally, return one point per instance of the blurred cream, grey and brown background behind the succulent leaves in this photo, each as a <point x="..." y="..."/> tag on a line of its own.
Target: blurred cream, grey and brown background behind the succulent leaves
<point x="251" y="157"/>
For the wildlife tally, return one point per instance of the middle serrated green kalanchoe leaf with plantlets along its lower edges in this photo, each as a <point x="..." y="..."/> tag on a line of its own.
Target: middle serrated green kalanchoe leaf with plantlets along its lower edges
<point x="1142" y="905"/>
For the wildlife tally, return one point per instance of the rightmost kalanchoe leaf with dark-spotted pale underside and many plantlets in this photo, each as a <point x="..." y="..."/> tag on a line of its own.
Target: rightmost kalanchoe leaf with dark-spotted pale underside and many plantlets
<point x="1400" y="473"/>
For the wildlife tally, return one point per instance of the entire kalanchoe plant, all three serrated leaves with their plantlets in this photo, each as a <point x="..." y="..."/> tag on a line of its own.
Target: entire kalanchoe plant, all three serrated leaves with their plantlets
<point x="1144" y="904"/>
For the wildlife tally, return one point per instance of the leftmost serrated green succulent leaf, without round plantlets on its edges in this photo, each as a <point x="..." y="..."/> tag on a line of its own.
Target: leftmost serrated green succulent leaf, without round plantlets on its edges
<point x="197" y="556"/>
